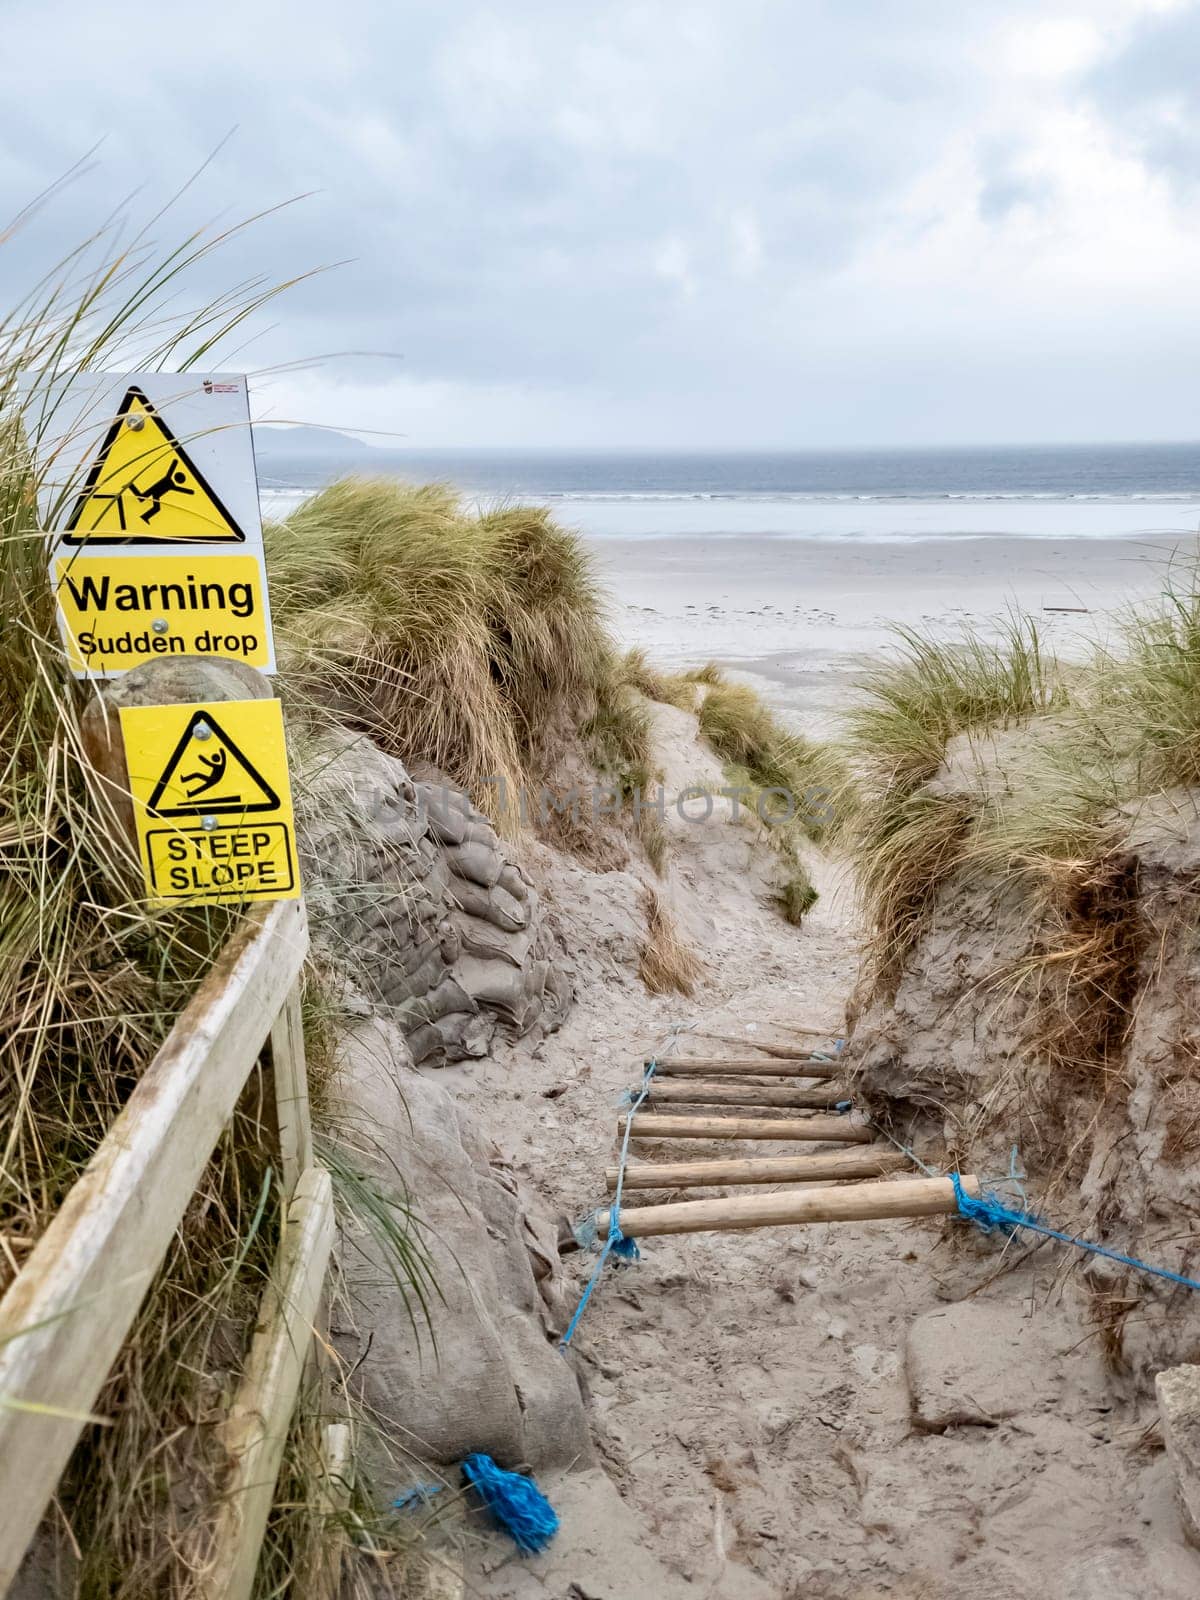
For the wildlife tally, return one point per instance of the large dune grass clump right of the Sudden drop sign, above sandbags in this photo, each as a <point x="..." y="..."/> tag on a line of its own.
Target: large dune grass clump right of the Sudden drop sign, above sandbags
<point x="452" y="638"/>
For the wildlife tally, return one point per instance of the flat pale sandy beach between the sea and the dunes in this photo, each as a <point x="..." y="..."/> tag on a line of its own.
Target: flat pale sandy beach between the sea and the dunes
<point x="799" y="617"/>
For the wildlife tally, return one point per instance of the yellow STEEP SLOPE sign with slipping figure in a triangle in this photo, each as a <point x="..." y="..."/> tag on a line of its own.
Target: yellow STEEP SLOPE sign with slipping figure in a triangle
<point x="212" y="801"/>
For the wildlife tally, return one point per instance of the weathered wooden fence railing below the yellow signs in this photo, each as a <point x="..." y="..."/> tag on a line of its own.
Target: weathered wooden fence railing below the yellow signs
<point x="71" y="1308"/>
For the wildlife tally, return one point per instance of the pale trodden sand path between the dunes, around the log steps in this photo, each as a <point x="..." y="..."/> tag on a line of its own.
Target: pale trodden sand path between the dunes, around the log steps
<point x="750" y="1393"/>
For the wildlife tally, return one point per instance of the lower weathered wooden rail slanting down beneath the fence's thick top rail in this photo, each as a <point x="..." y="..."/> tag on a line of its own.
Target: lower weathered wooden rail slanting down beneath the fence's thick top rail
<point x="257" y="1428"/>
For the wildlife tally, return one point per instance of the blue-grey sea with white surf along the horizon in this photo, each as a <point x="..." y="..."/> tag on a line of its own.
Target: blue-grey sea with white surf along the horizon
<point x="858" y="495"/>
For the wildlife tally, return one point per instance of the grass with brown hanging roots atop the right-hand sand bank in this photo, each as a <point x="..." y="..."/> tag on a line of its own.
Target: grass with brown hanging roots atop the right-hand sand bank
<point x="1049" y="817"/>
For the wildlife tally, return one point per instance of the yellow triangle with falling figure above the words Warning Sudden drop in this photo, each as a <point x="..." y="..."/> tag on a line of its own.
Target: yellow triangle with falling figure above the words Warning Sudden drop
<point x="145" y="489"/>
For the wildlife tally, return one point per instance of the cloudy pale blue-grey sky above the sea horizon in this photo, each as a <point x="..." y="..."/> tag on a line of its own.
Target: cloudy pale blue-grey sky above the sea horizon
<point x="657" y="225"/>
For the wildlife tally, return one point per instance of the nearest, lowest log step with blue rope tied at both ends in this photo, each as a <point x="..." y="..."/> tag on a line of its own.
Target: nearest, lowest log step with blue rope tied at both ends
<point x="849" y="1204"/>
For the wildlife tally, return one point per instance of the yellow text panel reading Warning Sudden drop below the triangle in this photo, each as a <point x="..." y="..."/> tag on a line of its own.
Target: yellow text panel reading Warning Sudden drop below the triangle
<point x="121" y="610"/>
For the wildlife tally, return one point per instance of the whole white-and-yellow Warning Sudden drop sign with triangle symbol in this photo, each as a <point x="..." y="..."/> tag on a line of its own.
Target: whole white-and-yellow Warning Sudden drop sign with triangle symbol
<point x="148" y="481"/>
